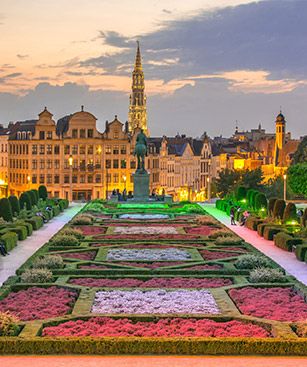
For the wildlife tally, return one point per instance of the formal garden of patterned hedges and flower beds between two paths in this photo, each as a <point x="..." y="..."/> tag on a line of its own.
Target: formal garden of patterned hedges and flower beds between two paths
<point x="151" y="279"/>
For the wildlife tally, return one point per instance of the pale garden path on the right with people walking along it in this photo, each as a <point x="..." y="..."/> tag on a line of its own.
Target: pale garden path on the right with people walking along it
<point x="285" y="259"/>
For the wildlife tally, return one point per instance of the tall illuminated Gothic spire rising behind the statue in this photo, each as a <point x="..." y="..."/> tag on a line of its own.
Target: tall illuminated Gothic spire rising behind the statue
<point x="137" y="108"/>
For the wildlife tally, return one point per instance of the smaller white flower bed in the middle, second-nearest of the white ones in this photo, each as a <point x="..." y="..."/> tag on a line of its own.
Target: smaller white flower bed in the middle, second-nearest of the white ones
<point x="148" y="255"/>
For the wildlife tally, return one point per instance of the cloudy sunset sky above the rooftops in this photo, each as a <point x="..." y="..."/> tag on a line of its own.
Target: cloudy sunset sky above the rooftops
<point x="208" y="64"/>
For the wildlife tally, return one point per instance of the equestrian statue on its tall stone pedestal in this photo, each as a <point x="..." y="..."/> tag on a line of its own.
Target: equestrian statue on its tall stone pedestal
<point x="141" y="176"/>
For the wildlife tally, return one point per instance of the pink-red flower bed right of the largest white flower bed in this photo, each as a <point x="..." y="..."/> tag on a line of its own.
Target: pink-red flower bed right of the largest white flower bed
<point x="281" y="304"/>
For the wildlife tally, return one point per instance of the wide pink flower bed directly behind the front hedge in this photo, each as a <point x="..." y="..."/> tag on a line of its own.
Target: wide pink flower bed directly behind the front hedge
<point x="177" y="327"/>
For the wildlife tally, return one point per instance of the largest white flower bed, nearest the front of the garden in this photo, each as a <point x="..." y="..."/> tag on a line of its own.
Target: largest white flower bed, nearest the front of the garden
<point x="154" y="302"/>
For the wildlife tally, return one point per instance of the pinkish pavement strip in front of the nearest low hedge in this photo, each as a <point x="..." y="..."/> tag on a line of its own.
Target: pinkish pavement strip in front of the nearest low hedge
<point x="140" y="361"/>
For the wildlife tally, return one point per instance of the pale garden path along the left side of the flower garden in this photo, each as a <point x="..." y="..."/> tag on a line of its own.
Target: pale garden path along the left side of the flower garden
<point x="9" y="264"/>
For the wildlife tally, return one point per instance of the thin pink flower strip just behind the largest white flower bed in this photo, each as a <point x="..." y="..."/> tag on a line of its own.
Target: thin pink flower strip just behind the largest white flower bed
<point x="153" y="282"/>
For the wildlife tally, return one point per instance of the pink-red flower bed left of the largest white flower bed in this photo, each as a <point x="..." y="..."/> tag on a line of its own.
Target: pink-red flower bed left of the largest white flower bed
<point x="39" y="303"/>
